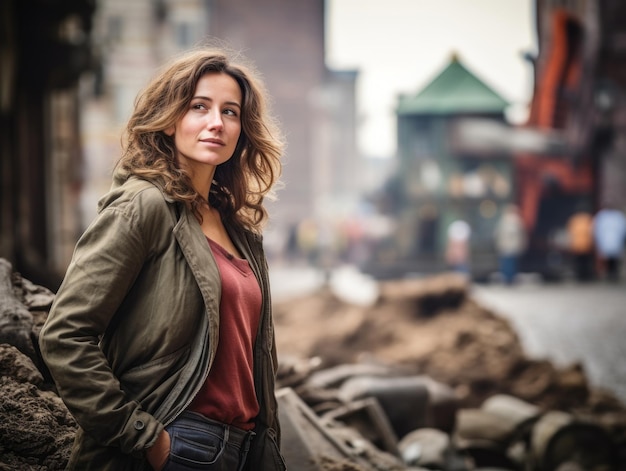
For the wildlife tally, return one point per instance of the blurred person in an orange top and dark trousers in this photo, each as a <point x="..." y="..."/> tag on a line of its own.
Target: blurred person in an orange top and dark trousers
<point x="581" y="244"/>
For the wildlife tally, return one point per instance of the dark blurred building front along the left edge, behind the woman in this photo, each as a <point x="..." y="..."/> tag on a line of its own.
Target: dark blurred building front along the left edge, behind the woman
<point x="44" y="49"/>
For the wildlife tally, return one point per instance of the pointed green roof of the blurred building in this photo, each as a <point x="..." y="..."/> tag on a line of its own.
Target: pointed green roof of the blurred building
<point x="455" y="90"/>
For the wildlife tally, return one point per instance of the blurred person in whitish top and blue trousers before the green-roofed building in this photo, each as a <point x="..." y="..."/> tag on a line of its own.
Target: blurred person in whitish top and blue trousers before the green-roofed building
<point x="511" y="240"/>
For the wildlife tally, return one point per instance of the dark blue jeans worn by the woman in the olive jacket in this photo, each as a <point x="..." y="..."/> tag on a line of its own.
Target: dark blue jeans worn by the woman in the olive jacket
<point x="198" y="443"/>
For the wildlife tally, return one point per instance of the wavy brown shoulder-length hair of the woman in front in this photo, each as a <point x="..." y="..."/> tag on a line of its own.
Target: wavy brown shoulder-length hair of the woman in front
<point x="241" y="184"/>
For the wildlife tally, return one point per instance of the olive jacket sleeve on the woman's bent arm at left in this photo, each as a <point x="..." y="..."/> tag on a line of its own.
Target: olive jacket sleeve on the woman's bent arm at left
<point x="107" y="259"/>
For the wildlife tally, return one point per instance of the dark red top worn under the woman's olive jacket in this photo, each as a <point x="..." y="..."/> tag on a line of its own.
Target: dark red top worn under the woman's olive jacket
<point x="228" y="394"/>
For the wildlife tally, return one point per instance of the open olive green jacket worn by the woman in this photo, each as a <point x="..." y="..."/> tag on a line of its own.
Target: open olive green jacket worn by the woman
<point x="133" y="330"/>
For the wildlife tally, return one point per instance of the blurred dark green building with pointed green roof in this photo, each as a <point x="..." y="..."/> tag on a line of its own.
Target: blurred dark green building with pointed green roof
<point x="438" y="181"/>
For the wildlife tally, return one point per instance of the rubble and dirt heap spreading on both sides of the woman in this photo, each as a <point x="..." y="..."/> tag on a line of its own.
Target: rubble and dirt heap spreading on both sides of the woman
<point x="421" y="377"/>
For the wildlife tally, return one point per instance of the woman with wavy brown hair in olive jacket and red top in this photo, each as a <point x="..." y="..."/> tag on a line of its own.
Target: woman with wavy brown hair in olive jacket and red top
<point x="160" y="339"/>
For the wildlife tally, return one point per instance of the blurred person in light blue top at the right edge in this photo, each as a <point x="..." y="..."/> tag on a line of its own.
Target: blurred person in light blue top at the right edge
<point x="609" y="230"/>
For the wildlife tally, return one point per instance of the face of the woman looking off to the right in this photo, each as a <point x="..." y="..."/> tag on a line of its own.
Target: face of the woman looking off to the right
<point x="207" y="134"/>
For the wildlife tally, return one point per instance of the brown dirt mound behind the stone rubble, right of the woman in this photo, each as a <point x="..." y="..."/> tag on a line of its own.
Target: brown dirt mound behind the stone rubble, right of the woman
<point x="433" y="327"/>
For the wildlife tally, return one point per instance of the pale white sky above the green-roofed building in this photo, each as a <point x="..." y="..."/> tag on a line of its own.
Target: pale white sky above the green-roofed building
<point x="400" y="45"/>
